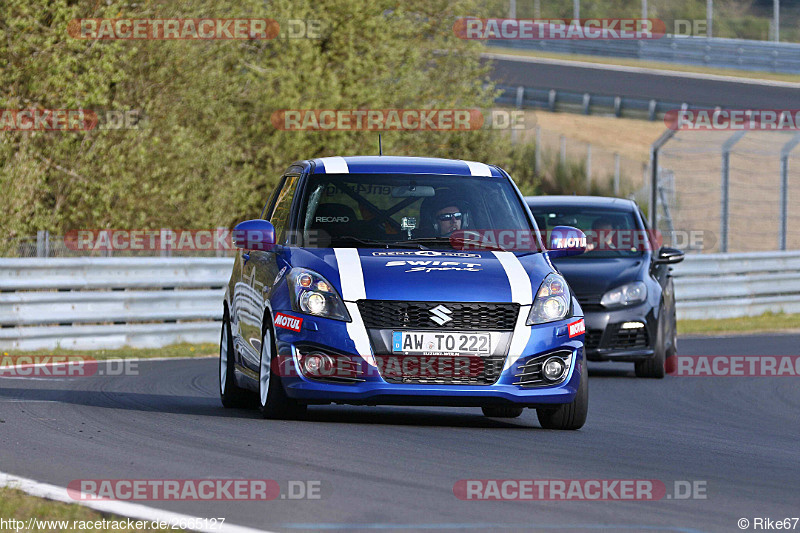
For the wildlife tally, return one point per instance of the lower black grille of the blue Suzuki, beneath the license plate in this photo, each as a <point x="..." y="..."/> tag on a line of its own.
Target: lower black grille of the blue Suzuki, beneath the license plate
<point x="440" y="370"/>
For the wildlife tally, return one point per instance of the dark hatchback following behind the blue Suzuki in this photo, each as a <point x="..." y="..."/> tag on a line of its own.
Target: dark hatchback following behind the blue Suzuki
<point x="622" y="282"/>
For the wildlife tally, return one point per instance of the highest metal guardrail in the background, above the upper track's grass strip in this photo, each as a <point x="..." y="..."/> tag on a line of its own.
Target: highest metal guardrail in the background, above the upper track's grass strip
<point x="741" y="54"/>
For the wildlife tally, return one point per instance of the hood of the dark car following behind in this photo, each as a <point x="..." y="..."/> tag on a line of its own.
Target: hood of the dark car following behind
<point x="593" y="277"/>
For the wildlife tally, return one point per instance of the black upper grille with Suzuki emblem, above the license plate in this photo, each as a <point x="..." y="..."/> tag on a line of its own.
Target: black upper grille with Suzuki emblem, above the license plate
<point x="387" y="314"/>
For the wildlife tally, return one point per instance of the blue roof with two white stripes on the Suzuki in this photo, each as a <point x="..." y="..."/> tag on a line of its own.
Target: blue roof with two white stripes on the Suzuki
<point x="402" y="165"/>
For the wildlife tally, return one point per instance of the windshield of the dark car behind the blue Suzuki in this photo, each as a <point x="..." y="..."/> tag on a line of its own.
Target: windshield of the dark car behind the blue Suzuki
<point x="609" y="232"/>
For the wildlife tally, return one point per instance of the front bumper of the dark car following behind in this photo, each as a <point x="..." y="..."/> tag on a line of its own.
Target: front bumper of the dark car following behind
<point x="608" y="340"/>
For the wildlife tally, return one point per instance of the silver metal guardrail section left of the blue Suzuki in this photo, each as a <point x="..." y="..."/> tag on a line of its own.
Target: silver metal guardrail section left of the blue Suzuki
<point x="93" y="303"/>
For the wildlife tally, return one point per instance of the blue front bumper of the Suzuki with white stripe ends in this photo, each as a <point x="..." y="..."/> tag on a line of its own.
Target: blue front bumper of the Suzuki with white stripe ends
<point x="372" y="389"/>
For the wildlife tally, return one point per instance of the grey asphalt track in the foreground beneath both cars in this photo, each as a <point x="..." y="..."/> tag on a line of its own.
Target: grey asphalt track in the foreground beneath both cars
<point x="395" y="468"/>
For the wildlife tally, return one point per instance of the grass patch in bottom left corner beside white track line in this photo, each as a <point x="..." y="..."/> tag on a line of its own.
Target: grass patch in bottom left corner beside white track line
<point x="20" y="506"/>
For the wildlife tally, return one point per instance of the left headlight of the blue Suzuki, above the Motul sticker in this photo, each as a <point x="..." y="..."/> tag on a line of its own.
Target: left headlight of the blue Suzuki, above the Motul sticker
<point x="313" y="295"/>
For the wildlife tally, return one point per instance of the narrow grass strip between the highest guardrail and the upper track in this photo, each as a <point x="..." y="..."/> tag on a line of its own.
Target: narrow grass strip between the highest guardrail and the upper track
<point x="748" y="74"/>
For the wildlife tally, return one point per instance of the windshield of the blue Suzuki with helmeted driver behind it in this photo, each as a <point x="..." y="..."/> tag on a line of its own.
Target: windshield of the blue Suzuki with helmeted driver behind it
<point x="423" y="211"/>
